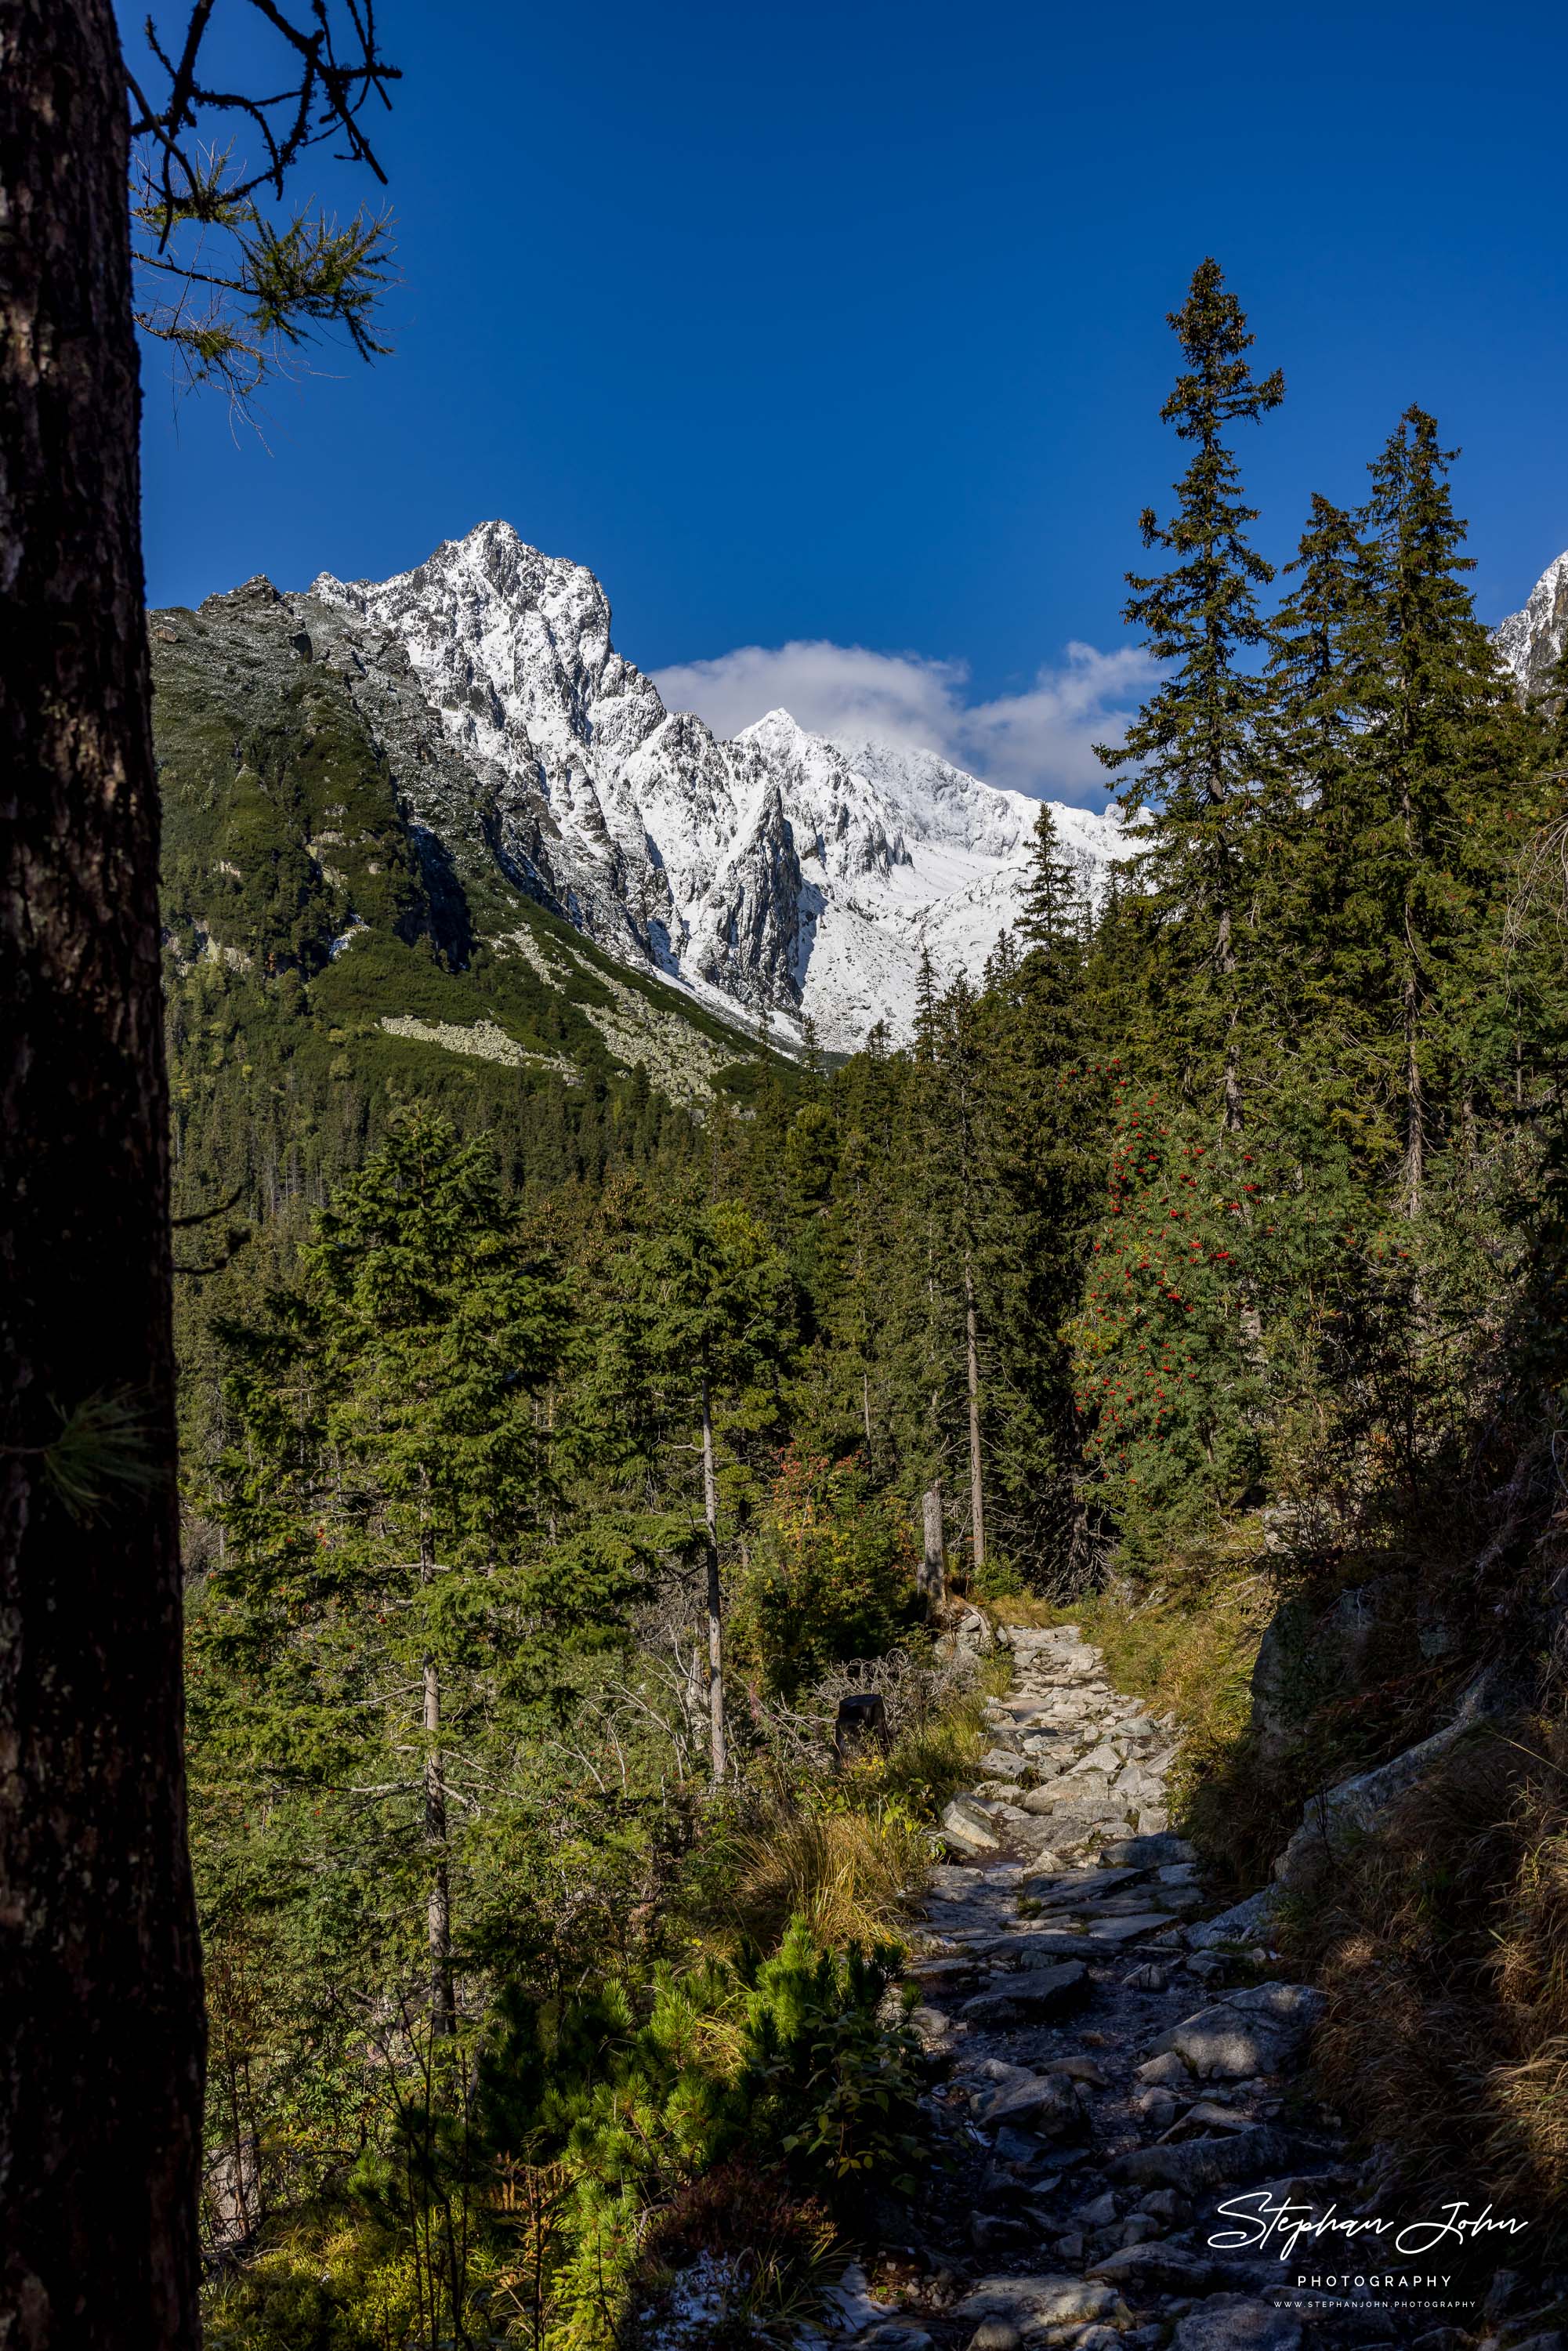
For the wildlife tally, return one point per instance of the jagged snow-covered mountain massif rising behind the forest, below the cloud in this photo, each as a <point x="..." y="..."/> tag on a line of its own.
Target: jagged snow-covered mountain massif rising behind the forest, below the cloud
<point x="777" y="873"/>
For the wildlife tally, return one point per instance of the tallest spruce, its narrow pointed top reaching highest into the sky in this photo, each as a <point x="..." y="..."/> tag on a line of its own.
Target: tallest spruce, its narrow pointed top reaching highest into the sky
<point x="1193" y="751"/>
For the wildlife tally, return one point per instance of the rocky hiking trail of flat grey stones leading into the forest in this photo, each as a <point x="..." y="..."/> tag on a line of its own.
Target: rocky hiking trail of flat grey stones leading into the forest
<point x="1113" y="2065"/>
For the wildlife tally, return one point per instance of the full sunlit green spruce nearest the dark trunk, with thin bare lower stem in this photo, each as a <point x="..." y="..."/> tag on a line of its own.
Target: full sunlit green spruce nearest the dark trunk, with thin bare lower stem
<point x="387" y="1496"/>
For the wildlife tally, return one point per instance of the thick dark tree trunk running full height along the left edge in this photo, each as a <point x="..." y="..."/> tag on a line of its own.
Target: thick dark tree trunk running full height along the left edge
<point x="100" y="1969"/>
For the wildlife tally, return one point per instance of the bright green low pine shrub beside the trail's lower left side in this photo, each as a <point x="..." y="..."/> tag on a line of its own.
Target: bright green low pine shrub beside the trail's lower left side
<point x="615" y="2112"/>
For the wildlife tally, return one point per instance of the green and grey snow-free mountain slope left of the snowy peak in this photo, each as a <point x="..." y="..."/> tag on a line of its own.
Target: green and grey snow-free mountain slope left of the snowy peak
<point x="342" y="873"/>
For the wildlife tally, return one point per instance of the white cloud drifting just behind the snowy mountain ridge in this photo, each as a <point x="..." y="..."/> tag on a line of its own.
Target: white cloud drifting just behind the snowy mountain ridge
<point x="1038" y="742"/>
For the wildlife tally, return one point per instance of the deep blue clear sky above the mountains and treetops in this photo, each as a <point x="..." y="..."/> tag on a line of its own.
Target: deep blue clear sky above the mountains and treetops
<point x="845" y="321"/>
